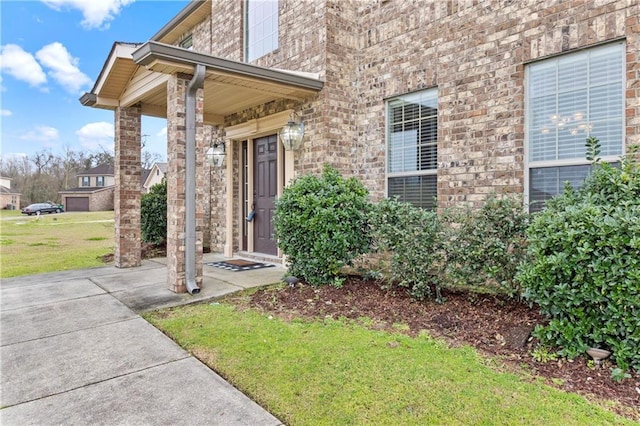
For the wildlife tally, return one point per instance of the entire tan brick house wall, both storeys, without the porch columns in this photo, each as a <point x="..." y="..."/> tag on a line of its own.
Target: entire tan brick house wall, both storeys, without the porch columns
<point x="475" y="53"/>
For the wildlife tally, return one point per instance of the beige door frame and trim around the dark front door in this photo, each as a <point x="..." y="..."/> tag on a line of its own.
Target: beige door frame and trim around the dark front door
<point x="236" y="135"/>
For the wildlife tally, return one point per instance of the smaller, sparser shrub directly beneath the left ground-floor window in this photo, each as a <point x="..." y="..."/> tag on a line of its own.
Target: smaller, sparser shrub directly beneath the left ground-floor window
<point x="414" y="238"/>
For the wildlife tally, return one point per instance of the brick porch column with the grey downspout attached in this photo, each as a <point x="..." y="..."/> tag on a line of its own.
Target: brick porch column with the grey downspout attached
<point x="176" y="182"/>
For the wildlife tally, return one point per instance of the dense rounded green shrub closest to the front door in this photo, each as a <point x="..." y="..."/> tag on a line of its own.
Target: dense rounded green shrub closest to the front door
<point x="321" y="225"/>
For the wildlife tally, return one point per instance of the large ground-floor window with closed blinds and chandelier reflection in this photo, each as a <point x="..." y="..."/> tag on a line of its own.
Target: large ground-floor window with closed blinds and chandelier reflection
<point x="570" y="98"/>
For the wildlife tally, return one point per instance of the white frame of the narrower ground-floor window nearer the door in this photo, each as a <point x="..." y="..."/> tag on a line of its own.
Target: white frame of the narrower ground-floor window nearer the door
<point x="412" y="173"/>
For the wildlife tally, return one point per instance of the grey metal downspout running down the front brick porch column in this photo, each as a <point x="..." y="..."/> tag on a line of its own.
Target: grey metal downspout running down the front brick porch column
<point x="197" y="82"/>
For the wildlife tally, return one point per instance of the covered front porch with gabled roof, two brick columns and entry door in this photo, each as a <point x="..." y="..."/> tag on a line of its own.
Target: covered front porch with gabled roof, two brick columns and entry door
<point x="203" y="98"/>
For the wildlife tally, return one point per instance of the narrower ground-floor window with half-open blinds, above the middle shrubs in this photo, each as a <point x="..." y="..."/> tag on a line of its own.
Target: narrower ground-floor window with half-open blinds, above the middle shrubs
<point x="412" y="148"/>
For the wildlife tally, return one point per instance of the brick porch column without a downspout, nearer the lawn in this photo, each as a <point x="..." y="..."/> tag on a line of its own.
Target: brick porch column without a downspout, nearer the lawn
<point x="127" y="190"/>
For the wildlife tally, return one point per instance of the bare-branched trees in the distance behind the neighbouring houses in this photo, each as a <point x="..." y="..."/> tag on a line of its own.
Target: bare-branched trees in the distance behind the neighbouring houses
<point x="39" y="177"/>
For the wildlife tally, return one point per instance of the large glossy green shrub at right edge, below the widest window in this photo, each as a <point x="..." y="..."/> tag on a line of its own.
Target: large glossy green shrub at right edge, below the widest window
<point x="584" y="269"/>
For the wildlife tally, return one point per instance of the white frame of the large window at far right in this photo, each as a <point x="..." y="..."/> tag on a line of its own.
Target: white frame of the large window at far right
<point x="531" y="165"/>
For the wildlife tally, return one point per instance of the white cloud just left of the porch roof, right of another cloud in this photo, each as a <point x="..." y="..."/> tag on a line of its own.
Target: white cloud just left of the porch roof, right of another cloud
<point x="63" y="67"/>
